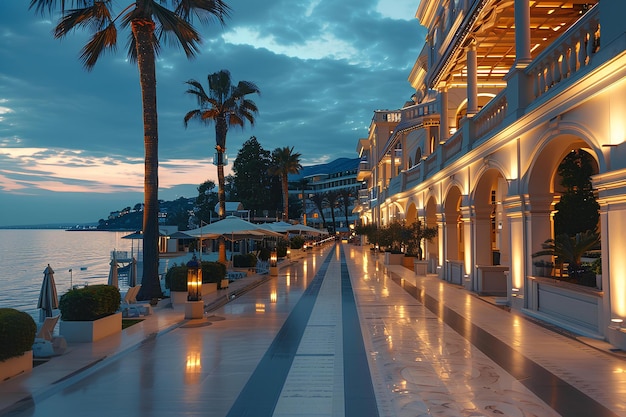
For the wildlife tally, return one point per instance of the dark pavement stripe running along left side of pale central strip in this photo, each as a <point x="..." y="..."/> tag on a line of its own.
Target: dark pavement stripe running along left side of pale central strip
<point x="260" y="394"/>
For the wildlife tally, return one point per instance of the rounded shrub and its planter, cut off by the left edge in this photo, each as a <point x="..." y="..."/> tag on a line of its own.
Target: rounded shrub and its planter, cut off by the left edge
<point x="17" y="334"/>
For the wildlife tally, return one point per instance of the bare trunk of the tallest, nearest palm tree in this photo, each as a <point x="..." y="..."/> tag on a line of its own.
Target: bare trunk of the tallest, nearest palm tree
<point x="143" y="31"/>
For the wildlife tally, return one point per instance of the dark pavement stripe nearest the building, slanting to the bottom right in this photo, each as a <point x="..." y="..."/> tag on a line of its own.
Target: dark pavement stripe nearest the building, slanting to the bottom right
<point x="564" y="398"/>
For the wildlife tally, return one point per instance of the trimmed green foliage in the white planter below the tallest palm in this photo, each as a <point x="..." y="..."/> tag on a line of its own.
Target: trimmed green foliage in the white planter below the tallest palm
<point x="89" y="303"/>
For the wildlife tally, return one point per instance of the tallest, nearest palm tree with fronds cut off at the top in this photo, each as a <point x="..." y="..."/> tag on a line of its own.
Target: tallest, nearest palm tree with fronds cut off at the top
<point x="151" y="22"/>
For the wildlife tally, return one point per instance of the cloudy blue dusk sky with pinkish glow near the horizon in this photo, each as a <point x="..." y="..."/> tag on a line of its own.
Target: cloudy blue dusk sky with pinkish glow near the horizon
<point x="71" y="140"/>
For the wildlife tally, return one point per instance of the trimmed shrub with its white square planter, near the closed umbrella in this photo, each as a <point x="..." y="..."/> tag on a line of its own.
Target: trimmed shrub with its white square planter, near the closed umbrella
<point x="90" y="313"/>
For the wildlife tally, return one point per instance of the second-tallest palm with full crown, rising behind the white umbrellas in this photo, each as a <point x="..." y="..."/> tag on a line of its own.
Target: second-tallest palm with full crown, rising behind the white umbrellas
<point x="225" y="105"/>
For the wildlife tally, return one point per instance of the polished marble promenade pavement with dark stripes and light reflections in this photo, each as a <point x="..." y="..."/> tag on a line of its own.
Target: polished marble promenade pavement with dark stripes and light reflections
<point x="300" y="344"/>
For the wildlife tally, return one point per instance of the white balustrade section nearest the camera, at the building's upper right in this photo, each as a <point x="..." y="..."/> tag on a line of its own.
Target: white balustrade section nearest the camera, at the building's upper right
<point x="570" y="53"/>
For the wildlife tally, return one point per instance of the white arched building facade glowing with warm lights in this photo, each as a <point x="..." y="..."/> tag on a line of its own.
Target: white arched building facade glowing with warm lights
<point x="504" y="89"/>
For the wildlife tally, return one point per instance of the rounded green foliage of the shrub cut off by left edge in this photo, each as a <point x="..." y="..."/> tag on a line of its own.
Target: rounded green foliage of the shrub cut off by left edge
<point x="17" y="333"/>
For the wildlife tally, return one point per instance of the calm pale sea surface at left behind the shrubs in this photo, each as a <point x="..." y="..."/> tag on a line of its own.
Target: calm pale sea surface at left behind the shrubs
<point x="26" y="253"/>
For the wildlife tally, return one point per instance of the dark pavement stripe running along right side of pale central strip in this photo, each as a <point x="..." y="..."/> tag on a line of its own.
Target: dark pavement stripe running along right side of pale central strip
<point x="359" y="397"/>
